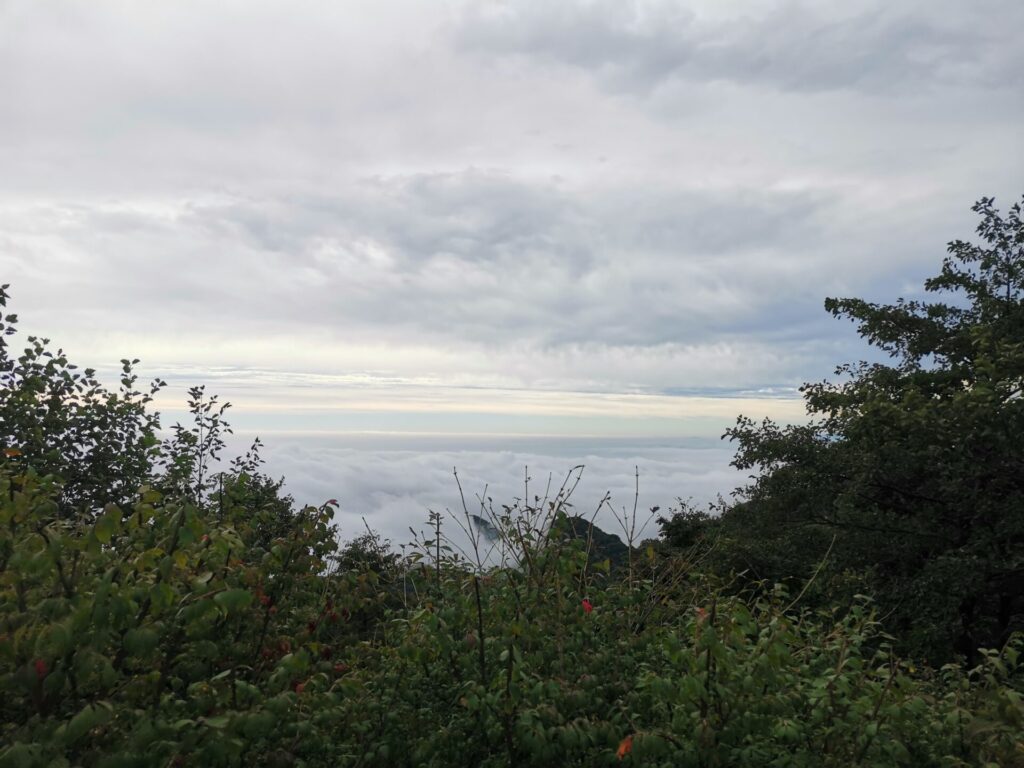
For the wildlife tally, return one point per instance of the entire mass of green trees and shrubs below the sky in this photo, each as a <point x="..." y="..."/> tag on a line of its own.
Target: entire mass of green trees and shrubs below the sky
<point x="158" y="612"/>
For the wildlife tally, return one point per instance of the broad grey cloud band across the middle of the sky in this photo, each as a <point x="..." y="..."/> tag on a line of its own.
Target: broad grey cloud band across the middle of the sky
<point x="472" y="257"/>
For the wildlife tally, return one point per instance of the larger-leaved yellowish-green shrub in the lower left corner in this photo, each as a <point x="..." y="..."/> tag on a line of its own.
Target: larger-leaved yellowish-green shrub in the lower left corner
<point x="134" y="631"/>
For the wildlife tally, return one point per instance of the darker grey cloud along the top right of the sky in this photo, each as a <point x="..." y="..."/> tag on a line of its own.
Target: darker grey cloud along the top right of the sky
<point x="867" y="47"/>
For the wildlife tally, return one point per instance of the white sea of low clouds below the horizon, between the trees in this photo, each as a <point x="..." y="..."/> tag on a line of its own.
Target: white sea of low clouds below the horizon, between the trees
<point x="394" y="484"/>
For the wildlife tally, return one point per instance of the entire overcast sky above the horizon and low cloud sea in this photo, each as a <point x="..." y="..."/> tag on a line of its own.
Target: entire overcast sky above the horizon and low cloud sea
<point x="550" y="218"/>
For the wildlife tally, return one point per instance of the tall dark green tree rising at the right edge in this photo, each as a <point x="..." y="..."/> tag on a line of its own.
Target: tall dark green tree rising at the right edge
<point x="911" y="474"/>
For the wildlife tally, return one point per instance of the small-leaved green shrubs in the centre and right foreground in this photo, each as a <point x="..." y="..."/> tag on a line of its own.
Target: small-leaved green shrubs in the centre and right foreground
<point x="551" y="665"/>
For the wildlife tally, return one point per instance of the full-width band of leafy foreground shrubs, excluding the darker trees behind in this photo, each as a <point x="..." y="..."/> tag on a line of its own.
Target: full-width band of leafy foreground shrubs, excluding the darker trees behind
<point x="166" y="632"/>
